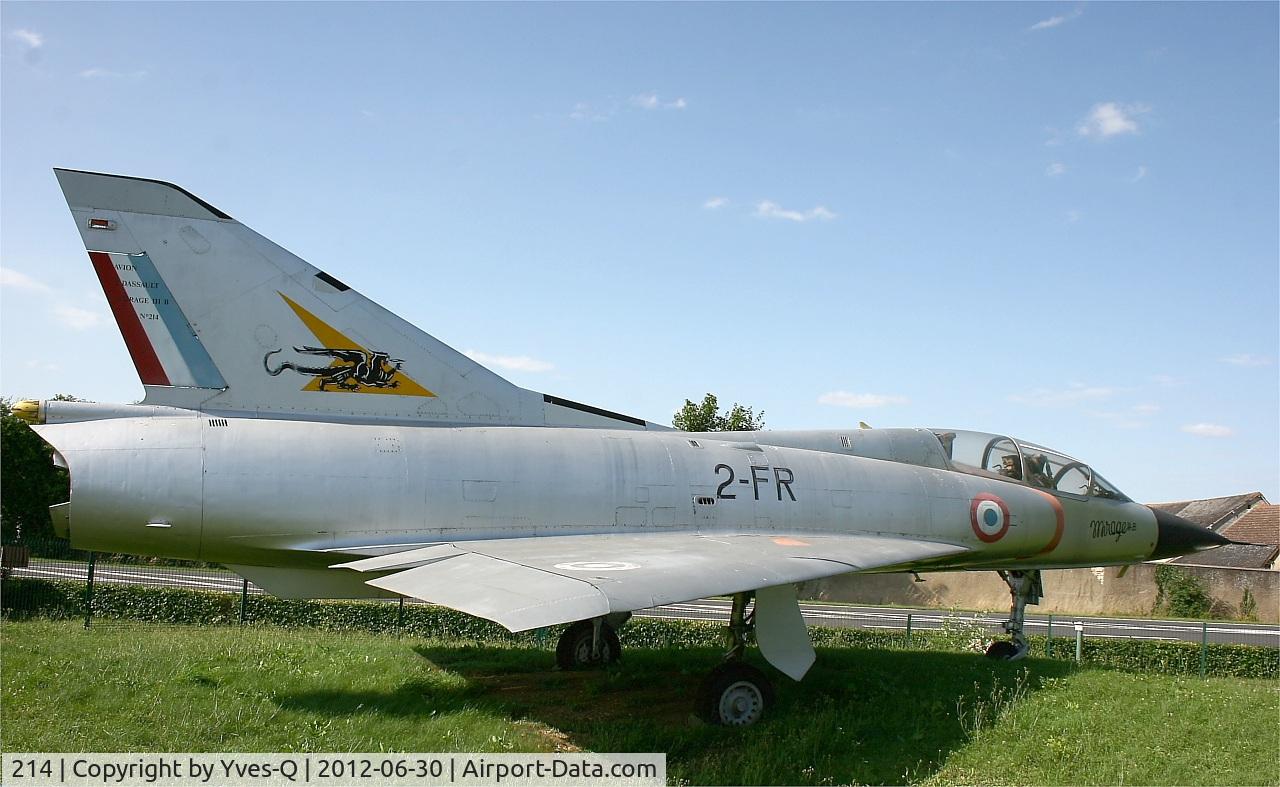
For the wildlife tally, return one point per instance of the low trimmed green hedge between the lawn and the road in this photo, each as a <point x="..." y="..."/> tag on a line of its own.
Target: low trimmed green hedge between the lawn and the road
<point x="58" y="600"/>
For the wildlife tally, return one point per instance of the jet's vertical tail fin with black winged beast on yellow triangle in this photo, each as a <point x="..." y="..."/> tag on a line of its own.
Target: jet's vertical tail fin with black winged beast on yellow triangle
<point x="221" y="319"/>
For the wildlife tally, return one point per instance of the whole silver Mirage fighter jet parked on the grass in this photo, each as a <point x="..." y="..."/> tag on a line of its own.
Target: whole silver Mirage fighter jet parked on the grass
<point x="323" y="447"/>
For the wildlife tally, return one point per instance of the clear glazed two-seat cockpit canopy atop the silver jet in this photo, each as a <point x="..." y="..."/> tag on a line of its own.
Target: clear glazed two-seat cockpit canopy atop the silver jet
<point x="1014" y="460"/>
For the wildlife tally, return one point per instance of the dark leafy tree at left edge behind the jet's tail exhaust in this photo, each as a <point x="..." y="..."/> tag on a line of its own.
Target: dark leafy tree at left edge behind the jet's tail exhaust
<point x="29" y="482"/>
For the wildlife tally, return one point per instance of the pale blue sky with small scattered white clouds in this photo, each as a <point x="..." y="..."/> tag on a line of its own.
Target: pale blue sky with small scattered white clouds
<point x="1050" y="221"/>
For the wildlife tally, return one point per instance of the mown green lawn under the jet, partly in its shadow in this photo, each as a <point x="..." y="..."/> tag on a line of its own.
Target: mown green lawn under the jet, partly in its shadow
<point x="860" y="717"/>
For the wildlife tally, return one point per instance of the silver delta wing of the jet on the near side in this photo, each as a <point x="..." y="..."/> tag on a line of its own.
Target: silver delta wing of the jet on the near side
<point x="525" y="584"/>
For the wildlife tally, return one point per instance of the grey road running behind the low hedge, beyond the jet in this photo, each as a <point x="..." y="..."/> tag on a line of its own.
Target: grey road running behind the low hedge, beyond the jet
<point x="892" y="619"/>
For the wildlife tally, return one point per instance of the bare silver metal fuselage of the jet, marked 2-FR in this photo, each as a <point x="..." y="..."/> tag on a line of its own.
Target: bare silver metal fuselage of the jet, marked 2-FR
<point x="291" y="493"/>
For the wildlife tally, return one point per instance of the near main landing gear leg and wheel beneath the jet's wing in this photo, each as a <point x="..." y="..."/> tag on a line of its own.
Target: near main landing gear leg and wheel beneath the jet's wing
<point x="737" y="694"/>
